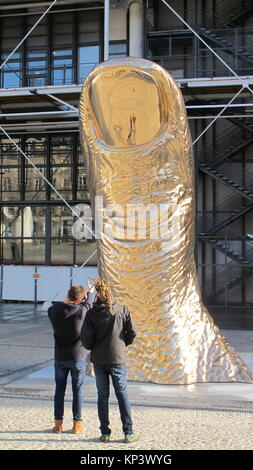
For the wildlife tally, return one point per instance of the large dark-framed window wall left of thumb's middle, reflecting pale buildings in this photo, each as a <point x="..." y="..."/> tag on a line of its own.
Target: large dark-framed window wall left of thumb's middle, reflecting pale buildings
<point x="36" y="227"/>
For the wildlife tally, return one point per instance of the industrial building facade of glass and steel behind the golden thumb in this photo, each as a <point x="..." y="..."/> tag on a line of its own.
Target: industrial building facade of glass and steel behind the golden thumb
<point x="207" y="45"/>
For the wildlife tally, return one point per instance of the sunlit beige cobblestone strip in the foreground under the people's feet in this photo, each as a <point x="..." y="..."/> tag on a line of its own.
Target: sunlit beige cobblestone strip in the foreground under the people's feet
<point x="26" y="426"/>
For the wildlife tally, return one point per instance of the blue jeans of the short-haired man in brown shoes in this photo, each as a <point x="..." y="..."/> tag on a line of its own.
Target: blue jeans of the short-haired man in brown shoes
<point x="77" y="370"/>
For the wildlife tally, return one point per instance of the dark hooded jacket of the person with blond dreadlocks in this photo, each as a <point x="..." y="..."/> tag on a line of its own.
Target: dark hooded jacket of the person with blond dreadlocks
<point x="107" y="333"/>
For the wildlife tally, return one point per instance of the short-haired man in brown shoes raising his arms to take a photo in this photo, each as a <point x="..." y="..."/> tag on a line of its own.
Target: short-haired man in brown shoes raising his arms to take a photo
<point x="67" y="319"/>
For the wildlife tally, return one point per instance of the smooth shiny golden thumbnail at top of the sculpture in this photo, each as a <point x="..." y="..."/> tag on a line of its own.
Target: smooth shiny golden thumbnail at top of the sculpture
<point x="119" y="103"/>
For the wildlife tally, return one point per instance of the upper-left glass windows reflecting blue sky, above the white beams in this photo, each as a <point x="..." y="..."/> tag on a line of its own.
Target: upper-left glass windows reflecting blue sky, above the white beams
<point x="61" y="50"/>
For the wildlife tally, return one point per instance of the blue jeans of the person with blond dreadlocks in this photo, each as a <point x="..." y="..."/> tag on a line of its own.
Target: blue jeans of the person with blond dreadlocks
<point x="119" y="380"/>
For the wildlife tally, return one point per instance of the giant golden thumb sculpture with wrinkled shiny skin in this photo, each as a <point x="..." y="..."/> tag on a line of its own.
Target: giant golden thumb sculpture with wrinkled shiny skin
<point x="139" y="160"/>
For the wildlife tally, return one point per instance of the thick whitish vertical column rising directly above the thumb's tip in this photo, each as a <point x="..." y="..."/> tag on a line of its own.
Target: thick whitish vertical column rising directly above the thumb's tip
<point x="136" y="29"/>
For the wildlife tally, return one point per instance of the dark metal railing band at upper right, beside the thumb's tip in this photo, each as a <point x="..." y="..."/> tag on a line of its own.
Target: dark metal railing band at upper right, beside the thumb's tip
<point x="235" y="47"/>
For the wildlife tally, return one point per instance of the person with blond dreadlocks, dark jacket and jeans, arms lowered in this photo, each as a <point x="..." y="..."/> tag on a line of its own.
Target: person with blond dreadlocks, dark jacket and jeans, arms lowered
<point x="106" y="331"/>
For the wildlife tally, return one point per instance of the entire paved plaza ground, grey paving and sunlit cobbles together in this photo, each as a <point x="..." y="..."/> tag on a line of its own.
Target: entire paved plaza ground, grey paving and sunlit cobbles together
<point x="26" y="346"/>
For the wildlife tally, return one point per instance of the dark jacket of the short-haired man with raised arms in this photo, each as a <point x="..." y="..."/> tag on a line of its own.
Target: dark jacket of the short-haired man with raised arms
<point x="67" y="321"/>
